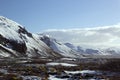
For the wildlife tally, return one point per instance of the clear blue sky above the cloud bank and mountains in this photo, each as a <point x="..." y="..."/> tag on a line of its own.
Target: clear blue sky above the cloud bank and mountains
<point x="40" y="15"/>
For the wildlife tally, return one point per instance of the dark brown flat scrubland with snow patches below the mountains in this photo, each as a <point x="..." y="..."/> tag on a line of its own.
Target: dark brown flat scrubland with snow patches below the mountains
<point x="59" y="69"/>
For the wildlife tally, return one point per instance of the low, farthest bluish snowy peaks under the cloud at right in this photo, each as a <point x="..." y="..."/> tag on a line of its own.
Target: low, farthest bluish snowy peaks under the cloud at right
<point x="89" y="51"/>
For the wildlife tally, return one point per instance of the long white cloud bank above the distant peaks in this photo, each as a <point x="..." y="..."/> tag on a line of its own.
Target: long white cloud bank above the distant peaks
<point x="105" y="36"/>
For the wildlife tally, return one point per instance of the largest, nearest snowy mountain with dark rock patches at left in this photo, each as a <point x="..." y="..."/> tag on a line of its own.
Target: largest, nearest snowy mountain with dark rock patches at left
<point x="16" y="41"/>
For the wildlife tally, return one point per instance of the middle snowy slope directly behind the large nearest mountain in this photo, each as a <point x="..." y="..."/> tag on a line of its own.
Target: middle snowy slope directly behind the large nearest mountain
<point x="59" y="47"/>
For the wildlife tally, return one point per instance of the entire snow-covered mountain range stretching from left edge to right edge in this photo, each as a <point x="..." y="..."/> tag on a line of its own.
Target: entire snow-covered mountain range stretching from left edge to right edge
<point x="16" y="41"/>
